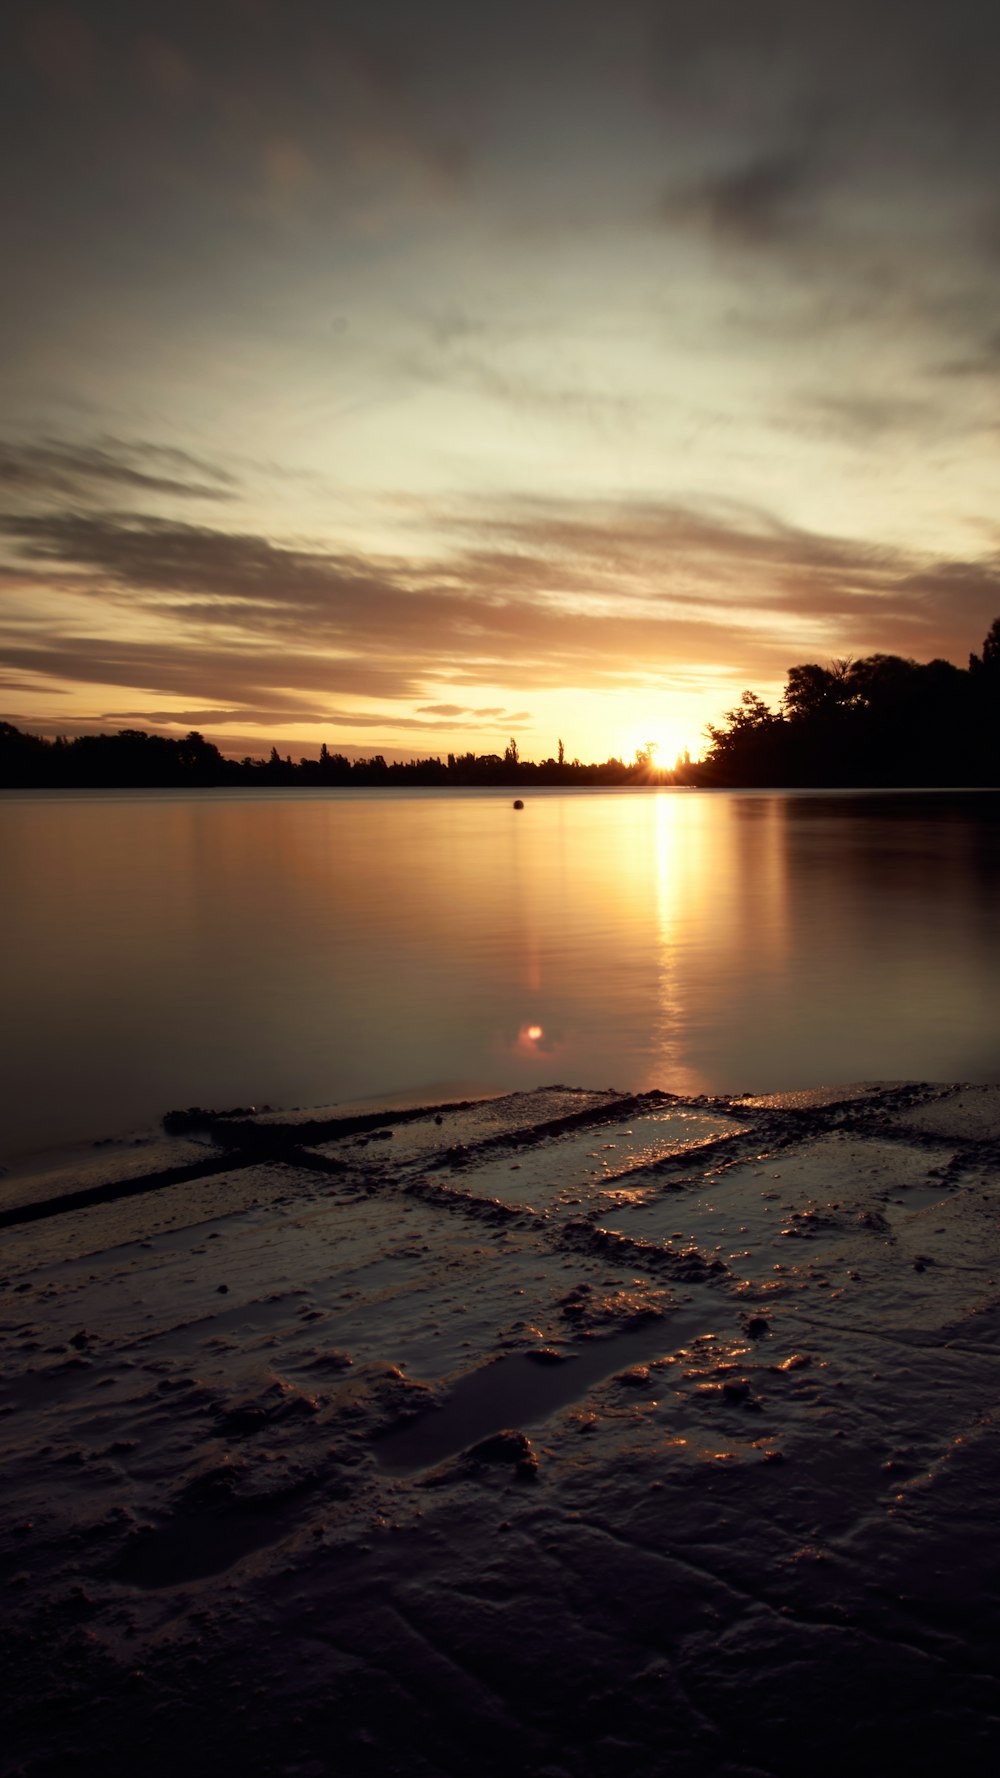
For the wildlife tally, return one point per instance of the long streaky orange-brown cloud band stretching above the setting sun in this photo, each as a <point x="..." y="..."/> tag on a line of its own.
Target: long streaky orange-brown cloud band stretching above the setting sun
<point x="650" y="559"/>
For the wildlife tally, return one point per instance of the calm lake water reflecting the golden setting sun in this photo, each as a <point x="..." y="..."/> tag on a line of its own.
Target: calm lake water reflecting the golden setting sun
<point x="316" y="947"/>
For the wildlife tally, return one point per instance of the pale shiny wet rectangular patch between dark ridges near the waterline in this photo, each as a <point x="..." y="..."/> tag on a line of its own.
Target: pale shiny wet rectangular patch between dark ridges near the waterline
<point x="597" y="1162"/>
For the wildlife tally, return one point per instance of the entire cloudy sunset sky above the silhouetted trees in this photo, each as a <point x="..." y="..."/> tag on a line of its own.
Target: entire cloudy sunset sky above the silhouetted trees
<point x="415" y="376"/>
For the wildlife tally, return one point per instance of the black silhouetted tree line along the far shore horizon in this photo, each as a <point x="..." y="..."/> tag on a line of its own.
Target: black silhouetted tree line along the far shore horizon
<point x="875" y="723"/>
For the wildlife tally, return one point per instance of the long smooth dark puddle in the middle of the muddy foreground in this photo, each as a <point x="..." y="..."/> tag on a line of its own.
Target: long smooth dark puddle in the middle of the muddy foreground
<point x="519" y="1391"/>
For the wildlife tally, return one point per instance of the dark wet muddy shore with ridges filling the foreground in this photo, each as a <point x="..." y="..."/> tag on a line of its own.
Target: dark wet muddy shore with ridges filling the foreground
<point x="743" y="1519"/>
